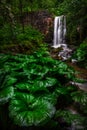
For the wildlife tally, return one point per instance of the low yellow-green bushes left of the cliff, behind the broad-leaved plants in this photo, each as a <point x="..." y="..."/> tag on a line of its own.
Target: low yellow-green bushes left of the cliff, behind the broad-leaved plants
<point x="23" y="42"/>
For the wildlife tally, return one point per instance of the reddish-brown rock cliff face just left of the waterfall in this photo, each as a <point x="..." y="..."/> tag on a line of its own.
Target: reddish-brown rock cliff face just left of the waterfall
<point x="41" y="20"/>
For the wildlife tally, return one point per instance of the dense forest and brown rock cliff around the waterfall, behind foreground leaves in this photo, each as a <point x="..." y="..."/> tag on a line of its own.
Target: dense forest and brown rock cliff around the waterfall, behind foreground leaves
<point x="26" y="24"/>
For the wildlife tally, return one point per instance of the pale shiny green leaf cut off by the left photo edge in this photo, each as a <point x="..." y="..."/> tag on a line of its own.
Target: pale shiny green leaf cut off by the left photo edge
<point x="6" y="94"/>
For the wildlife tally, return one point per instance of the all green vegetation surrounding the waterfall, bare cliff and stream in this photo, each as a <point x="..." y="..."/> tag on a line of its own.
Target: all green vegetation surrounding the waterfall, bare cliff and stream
<point x="35" y="89"/>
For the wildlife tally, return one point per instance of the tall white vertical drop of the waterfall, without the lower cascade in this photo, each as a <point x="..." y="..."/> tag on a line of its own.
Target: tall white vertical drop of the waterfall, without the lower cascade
<point x="59" y="31"/>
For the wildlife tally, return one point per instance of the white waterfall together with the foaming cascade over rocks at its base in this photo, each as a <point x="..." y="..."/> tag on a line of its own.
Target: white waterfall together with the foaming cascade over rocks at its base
<point x="59" y="36"/>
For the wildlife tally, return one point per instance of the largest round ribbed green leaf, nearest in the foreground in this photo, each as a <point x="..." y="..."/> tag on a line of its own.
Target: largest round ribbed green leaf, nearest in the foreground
<point x="26" y="110"/>
